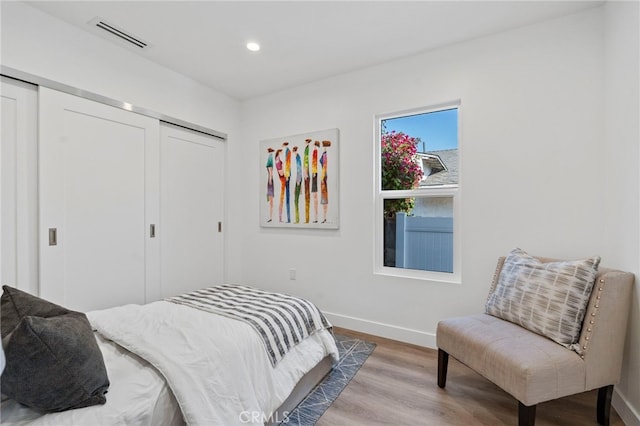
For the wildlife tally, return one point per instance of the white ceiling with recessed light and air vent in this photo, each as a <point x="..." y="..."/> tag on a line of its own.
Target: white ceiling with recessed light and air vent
<point x="302" y="41"/>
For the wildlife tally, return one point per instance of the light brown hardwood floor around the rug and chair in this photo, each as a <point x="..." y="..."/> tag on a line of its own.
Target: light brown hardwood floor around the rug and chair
<point x="397" y="386"/>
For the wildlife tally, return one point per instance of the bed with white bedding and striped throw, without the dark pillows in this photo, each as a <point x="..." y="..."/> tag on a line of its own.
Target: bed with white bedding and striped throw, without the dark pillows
<point x="172" y="362"/>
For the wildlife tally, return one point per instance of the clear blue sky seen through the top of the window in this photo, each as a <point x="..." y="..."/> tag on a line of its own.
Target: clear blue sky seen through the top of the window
<point x="437" y="130"/>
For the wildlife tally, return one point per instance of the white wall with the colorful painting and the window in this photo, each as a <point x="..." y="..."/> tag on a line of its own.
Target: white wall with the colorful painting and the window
<point x="531" y="144"/>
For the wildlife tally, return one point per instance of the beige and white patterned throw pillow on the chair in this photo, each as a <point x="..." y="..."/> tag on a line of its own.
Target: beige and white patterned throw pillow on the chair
<point x="547" y="298"/>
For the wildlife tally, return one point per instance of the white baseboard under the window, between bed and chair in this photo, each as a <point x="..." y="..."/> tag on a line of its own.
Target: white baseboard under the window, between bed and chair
<point x="389" y="331"/>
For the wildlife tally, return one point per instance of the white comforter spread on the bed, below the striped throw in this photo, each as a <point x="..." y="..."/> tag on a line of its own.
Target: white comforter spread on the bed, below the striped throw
<point x="217" y="367"/>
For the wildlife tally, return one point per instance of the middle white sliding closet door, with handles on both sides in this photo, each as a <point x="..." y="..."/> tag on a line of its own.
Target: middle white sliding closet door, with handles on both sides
<point x="99" y="192"/>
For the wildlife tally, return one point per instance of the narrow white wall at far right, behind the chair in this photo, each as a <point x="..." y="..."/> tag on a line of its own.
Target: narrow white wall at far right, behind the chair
<point x="622" y="179"/>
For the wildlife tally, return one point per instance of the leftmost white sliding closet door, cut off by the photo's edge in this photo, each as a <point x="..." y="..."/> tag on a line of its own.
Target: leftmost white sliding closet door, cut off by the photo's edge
<point x="18" y="163"/>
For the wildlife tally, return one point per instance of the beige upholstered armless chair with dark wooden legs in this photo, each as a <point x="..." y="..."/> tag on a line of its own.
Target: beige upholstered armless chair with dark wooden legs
<point x="532" y="367"/>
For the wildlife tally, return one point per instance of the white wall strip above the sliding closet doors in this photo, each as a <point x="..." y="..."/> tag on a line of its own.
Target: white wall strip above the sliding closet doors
<point x="37" y="43"/>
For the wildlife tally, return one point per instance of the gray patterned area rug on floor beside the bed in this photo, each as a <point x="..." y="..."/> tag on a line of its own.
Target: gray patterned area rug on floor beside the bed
<point x="353" y="353"/>
